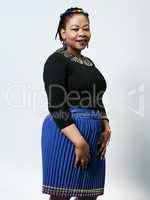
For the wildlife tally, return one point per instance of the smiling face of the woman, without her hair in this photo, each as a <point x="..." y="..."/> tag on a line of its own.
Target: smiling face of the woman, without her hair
<point x="77" y="33"/>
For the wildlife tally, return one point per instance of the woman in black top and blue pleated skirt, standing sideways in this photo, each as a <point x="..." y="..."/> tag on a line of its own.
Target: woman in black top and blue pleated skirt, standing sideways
<point x="76" y="131"/>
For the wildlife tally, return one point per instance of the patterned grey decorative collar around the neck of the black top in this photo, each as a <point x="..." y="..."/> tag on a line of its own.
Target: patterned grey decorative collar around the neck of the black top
<point x="83" y="60"/>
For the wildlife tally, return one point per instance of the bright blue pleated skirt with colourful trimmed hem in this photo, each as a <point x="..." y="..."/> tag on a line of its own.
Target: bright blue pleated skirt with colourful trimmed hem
<point x="60" y="175"/>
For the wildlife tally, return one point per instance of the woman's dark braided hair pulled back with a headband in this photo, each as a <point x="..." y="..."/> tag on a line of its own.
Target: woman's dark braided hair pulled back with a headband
<point x="63" y="19"/>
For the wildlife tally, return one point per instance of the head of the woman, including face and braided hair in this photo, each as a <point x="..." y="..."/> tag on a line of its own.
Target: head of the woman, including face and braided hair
<point x="74" y="30"/>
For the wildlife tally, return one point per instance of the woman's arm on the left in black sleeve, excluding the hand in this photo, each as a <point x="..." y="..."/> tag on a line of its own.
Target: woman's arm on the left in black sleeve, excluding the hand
<point x="54" y="77"/>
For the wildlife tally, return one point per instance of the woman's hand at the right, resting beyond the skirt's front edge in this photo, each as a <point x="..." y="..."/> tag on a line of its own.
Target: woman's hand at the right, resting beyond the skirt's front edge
<point x="104" y="139"/>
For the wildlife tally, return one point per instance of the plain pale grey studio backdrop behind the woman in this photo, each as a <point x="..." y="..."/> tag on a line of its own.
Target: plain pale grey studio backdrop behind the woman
<point x="119" y="48"/>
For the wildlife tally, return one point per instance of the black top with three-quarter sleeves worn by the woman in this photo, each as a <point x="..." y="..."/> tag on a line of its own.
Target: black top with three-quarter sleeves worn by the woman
<point x="71" y="84"/>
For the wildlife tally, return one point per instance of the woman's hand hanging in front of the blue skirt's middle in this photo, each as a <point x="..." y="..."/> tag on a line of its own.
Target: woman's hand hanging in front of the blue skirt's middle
<point x="82" y="155"/>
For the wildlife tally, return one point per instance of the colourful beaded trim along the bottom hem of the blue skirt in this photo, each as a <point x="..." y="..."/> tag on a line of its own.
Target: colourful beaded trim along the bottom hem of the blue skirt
<point x="72" y="192"/>
